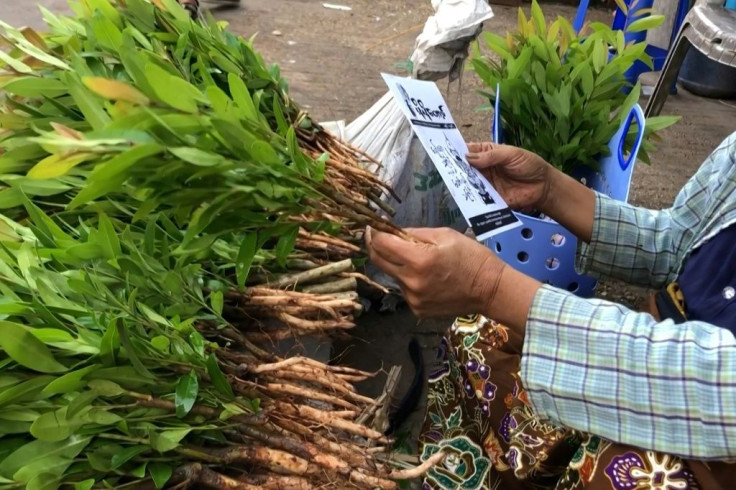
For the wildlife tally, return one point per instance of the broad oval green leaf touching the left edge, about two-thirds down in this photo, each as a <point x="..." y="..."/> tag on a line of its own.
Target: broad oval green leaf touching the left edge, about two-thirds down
<point x="27" y="350"/>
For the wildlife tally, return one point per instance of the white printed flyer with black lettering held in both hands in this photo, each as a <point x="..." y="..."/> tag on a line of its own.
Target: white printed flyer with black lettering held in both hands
<point x="424" y="106"/>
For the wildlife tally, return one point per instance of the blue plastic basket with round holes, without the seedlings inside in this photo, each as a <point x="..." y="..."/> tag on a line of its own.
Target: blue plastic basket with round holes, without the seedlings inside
<point x="546" y="250"/>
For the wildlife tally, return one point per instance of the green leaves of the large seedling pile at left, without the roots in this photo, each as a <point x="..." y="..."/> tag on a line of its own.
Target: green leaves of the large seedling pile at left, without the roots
<point x="148" y="164"/>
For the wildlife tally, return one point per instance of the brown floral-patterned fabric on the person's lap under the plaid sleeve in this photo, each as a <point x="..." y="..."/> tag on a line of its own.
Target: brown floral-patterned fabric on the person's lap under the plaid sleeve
<point x="479" y="416"/>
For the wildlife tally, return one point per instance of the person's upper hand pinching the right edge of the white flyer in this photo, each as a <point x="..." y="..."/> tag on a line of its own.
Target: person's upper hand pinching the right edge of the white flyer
<point x="520" y="176"/>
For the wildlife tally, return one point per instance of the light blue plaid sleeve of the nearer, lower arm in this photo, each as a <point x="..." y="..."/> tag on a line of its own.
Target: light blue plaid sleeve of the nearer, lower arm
<point x="599" y="368"/>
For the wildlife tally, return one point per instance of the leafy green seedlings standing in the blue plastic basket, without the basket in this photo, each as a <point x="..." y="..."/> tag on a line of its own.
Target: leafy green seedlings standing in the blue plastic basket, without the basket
<point x="565" y="92"/>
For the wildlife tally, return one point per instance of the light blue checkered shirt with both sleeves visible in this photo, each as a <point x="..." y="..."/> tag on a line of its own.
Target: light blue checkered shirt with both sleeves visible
<point x="601" y="368"/>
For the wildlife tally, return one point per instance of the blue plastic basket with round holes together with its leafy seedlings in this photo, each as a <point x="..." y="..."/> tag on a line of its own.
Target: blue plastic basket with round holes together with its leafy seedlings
<point x="566" y="98"/>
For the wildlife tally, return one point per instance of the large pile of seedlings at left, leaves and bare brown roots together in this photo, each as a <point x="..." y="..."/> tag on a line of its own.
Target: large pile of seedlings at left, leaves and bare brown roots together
<point x="166" y="212"/>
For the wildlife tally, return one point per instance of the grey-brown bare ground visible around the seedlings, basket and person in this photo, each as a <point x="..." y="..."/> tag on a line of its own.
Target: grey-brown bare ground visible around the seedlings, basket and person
<point x="333" y="60"/>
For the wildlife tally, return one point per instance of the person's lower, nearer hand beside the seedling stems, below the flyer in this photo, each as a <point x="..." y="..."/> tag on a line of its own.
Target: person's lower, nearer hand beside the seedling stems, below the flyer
<point x="443" y="273"/>
